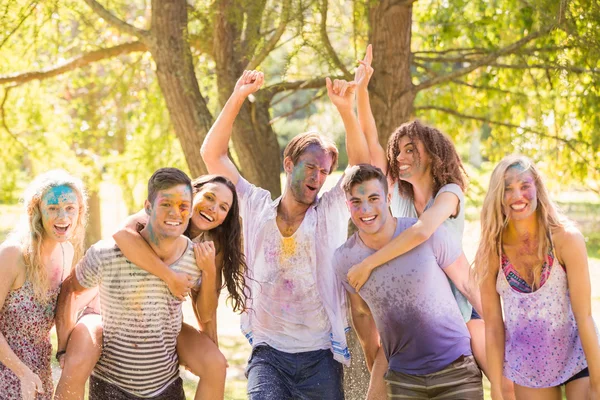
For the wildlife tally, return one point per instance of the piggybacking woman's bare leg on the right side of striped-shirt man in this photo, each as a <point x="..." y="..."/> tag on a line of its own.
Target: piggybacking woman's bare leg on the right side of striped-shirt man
<point x="202" y="357"/>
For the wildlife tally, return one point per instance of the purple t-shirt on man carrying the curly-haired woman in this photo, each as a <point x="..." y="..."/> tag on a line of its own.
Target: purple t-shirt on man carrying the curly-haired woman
<point x="421" y="328"/>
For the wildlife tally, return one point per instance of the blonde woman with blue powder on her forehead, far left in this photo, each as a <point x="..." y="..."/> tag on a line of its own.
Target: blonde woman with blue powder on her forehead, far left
<point x="34" y="261"/>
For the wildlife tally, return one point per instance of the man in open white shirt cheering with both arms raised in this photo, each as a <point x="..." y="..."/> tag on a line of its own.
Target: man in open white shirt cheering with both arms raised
<point x="296" y="322"/>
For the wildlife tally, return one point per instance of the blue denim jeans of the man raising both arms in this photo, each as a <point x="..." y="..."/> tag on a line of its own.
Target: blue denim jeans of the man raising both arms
<point x="276" y="375"/>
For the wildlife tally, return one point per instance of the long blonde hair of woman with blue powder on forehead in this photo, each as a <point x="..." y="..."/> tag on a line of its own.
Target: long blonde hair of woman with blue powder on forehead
<point x="30" y="234"/>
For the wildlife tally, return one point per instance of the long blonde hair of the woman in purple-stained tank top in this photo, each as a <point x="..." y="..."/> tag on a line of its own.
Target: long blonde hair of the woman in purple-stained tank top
<point x="494" y="220"/>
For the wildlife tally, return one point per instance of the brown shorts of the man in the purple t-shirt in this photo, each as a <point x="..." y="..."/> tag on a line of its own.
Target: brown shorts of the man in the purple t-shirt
<point x="459" y="380"/>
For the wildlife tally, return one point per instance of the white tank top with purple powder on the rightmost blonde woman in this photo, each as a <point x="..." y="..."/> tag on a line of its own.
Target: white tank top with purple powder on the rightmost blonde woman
<point x="542" y="343"/>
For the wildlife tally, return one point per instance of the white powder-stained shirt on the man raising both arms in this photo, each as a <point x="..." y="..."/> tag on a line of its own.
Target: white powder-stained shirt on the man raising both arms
<point x="326" y="229"/>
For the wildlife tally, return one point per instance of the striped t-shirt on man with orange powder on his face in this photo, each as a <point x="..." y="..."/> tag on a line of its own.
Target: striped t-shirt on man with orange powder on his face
<point x="140" y="319"/>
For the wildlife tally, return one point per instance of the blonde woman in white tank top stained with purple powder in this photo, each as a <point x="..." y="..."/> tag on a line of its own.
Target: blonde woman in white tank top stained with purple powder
<point x="533" y="258"/>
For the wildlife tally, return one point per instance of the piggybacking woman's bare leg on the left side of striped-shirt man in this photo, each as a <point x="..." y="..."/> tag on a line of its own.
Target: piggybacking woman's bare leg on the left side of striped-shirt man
<point x="83" y="352"/>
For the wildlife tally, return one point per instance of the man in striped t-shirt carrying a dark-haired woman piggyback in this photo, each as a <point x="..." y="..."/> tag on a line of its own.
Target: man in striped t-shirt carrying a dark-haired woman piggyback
<point x="140" y="317"/>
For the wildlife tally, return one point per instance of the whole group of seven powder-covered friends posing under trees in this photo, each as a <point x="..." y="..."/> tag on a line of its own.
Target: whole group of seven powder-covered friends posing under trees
<point x="290" y="269"/>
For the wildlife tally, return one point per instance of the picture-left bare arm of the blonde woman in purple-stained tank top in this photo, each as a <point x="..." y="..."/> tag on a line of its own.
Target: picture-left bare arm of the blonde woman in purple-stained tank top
<point x="494" y="330"/>
